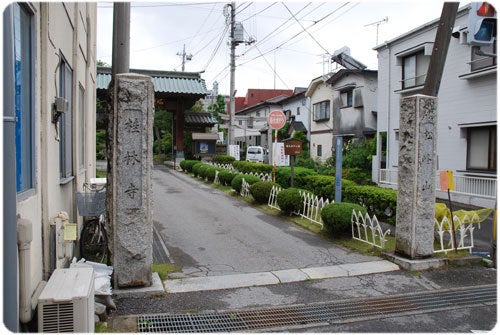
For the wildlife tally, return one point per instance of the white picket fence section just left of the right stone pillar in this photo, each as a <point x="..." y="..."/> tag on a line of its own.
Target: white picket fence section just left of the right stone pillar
<point x="368" y="229"/>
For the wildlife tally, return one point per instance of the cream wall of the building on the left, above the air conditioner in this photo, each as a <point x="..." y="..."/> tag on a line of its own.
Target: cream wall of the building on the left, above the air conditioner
<point x="69" y="30"/>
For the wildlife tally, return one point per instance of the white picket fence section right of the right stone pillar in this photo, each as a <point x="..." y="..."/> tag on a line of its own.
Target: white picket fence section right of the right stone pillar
<point x="464" y="233"/>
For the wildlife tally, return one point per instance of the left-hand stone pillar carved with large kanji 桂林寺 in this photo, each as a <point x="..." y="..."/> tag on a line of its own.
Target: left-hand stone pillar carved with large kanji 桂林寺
<point x="130" y="160"/>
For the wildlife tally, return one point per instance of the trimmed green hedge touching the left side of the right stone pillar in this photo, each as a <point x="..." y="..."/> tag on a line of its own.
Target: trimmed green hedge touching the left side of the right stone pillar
<point x="381" y="202"/>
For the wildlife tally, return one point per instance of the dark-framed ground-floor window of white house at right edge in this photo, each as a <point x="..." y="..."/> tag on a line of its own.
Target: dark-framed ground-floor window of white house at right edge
<point x="481" y="148"/>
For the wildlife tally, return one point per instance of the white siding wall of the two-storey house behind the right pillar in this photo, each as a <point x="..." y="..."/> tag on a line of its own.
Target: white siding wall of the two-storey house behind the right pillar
<point x="460" y="100"/>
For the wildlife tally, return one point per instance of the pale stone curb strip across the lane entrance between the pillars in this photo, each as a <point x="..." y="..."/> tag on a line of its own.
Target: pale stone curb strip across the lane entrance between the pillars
<point x="276" y="277"/>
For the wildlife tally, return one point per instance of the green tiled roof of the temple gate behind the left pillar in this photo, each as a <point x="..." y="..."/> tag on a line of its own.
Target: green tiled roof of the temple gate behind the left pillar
<point x="163" y="81"/>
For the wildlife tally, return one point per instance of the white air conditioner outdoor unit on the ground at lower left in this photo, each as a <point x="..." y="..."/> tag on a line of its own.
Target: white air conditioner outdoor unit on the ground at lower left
<point x="67" y="302"/>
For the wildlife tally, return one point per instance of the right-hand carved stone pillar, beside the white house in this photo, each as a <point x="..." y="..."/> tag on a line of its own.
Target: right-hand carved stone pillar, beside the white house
<point x="416" y="177"/>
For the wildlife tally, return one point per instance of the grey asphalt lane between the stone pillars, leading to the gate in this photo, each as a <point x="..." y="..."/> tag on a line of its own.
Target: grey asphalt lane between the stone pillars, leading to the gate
<point x="210" y="234"/>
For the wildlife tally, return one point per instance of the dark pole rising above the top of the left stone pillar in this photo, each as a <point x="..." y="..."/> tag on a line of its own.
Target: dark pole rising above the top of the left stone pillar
<point x="120" y="59"/>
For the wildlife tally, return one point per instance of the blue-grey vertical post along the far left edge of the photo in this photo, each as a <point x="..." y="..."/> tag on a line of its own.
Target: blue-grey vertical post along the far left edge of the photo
<point x="10" y="274"/>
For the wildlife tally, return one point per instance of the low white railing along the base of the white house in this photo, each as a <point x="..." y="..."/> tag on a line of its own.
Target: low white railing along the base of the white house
<point x="467" y="185"/>
